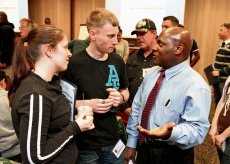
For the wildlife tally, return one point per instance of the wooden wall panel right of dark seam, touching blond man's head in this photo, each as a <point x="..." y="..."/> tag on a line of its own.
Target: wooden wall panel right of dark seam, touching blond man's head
<point x="81" y="11"/>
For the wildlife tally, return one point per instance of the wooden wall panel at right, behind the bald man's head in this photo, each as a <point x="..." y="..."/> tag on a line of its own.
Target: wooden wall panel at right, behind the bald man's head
<point x="203" y="19"/>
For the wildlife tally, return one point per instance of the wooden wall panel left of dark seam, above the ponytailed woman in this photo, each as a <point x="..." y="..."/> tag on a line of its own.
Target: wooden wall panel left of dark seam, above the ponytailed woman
<point x="58" y="11"/>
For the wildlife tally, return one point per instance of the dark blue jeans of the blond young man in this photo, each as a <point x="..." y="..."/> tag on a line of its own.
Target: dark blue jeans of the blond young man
<point x="99" y="156"/>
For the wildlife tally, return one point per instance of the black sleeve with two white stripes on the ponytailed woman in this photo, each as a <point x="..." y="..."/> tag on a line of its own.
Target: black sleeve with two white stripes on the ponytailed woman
<point x="36" y="145"/>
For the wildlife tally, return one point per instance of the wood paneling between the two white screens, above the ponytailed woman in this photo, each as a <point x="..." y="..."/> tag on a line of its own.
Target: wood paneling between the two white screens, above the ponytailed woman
<point x="60" y="13"/>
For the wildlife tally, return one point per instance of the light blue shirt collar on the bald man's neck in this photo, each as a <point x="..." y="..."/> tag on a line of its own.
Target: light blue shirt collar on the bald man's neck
<point x="169" y="73"/>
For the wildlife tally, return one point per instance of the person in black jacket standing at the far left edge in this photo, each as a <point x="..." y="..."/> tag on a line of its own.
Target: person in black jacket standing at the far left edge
<point x="6" y="40"/>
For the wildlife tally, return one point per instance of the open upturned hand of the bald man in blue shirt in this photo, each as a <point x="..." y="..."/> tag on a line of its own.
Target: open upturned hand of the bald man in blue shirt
<point x="162" y="132"/>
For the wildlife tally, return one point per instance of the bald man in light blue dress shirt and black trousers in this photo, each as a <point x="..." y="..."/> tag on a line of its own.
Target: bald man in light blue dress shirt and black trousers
<point x="178" y="120"/>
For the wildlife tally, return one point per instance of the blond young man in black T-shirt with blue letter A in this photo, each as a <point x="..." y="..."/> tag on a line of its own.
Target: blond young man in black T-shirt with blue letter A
<point x="101" y="80"/>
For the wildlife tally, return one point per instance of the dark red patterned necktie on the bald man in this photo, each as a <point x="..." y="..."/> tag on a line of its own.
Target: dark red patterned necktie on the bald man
<point x="149" y="104"/>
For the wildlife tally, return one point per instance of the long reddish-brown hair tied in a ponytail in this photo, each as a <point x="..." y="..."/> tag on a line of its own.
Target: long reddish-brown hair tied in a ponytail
<point x="28" y="50"/>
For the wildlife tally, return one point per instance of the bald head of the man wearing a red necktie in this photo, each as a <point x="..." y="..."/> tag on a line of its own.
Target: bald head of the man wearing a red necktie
<point x="174" y="45"/>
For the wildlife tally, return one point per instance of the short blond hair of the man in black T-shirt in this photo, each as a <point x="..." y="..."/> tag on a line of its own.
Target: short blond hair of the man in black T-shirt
<point x="99" y="17"/>
